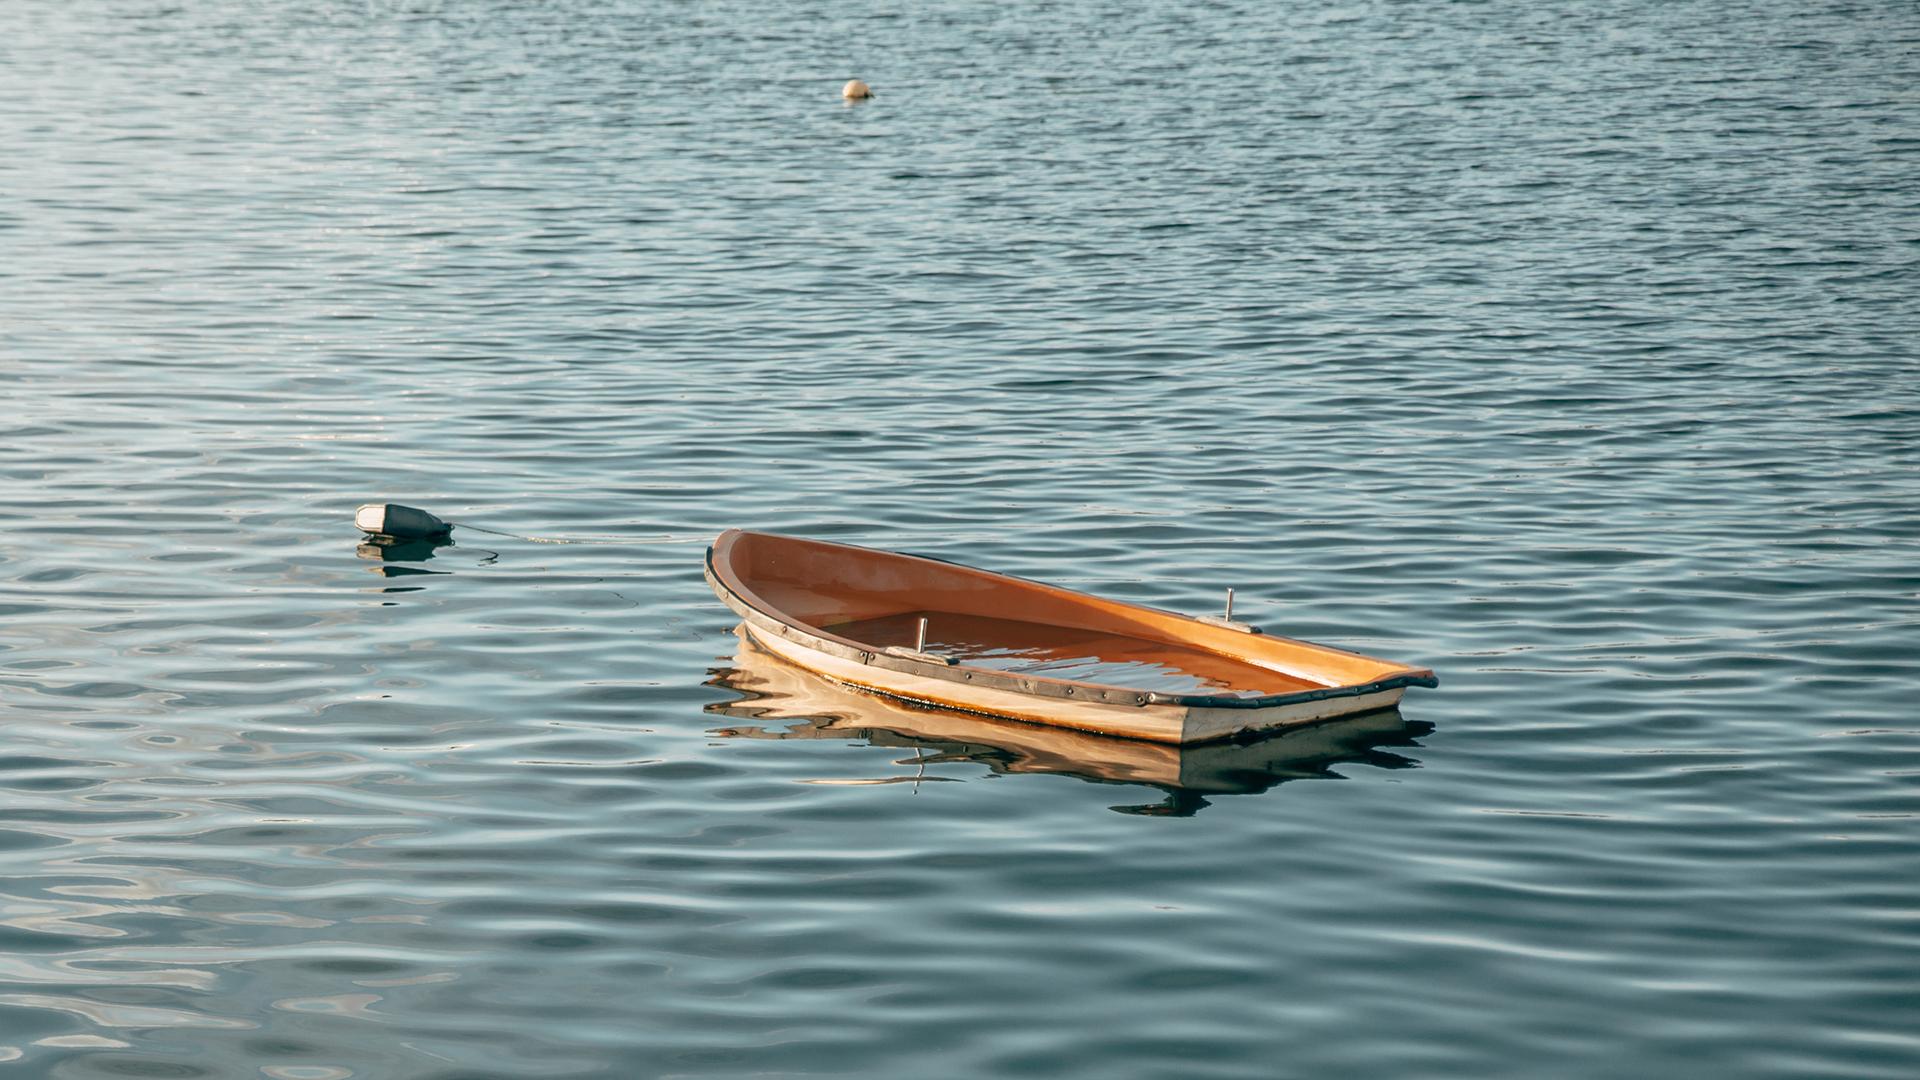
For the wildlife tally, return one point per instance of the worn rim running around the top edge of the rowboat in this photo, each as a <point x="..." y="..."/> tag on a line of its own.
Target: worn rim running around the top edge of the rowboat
<point x="750" y="606"/>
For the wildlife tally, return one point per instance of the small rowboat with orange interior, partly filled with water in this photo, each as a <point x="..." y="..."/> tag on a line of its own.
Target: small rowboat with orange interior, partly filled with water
<point x="1003" y="647"/>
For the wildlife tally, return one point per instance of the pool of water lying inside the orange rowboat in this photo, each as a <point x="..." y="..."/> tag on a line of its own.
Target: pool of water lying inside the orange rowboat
<point x="1068" y="652"/>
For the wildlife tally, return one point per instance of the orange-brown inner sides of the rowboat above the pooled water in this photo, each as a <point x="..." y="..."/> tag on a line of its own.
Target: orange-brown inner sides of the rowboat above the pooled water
<point x="825" y="587"/>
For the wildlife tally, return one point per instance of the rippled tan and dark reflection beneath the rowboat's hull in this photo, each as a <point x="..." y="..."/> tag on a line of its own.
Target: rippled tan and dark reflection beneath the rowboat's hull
<point x="817" y="708"/>
